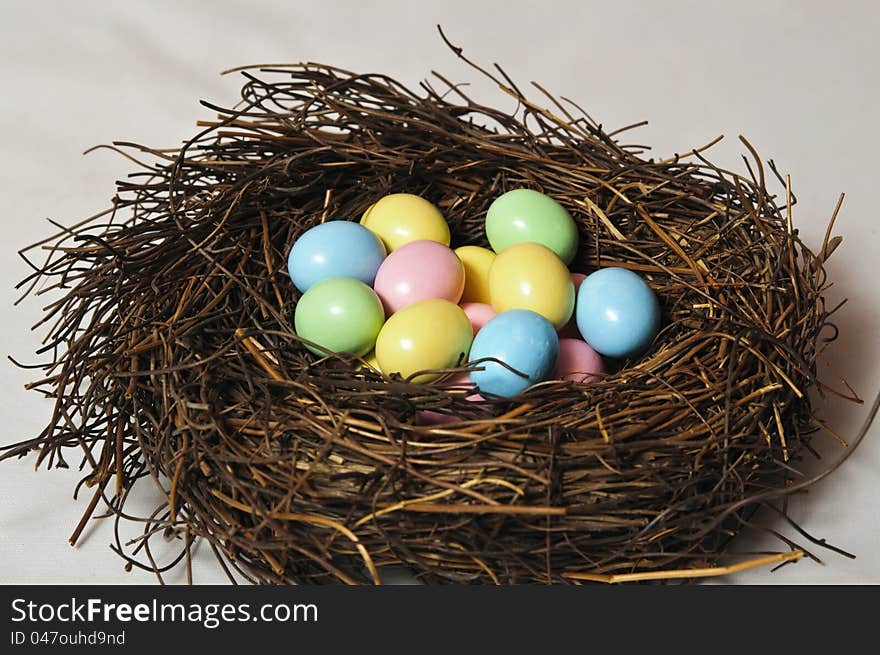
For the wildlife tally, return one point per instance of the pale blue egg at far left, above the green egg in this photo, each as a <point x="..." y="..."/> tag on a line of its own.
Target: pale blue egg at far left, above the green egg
<point x="335" y="249"/>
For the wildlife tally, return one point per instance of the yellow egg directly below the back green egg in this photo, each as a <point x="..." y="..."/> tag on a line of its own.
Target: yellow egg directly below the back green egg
<point x="531" y="276"/>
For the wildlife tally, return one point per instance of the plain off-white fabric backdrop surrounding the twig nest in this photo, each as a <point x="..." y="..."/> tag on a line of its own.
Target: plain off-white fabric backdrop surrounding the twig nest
<point x="799" y="79"/>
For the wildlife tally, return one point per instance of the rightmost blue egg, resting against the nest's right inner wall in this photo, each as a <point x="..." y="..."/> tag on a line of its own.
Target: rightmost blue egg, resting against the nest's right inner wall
<point x="617" y="312"/>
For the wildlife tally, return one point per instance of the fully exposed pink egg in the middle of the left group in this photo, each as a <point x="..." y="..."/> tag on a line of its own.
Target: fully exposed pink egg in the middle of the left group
<point x="419" y="270"/>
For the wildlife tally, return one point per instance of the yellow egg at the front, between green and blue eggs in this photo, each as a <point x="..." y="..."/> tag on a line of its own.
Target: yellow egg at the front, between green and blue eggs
<point x="430" y="334"/>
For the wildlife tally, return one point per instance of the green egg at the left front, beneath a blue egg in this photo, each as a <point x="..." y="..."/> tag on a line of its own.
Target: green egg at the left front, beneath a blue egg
<point x="339" y="314"/>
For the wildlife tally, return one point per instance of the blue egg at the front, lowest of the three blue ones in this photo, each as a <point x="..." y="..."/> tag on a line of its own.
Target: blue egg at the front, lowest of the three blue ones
<point x="523" y="340"/>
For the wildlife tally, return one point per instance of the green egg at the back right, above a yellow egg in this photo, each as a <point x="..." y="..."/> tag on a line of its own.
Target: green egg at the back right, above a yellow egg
<point x="524" y="215"/>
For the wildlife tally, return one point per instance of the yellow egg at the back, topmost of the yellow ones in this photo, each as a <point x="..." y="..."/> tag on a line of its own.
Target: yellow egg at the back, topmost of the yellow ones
<point x="399" y="218"/>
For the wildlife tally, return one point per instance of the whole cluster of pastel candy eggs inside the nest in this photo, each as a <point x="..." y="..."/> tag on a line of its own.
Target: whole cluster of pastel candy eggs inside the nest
<point x="392" y="290"/>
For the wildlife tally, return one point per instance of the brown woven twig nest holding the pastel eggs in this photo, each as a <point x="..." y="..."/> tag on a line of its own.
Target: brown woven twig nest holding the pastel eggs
<point x="174" y="357"/>
